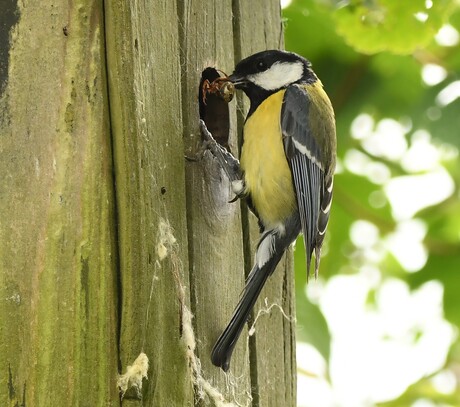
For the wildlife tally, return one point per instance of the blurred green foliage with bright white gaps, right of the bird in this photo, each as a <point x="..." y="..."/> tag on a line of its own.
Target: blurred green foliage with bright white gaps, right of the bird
<point x="380" y="325"/>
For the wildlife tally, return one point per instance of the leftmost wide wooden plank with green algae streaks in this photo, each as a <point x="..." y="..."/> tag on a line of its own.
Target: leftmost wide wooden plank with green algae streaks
<point x="58" y="252"/>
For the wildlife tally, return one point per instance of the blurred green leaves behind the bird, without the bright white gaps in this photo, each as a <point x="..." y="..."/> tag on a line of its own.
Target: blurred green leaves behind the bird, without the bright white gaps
<point x="370" y="56"/>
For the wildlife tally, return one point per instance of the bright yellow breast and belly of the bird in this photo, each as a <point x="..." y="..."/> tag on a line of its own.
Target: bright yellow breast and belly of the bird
<point x="266" y="171"/>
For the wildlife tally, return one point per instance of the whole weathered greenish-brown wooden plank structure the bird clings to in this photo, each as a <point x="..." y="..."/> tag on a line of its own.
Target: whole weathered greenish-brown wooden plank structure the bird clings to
<point x="112" y="244"/>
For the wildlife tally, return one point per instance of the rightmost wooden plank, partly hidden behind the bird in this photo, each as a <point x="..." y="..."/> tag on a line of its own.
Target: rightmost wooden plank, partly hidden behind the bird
<point x="272" y="347"/>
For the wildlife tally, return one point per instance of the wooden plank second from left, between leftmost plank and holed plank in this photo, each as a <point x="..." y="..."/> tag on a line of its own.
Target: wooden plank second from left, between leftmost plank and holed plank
<point x="145" y="106"/>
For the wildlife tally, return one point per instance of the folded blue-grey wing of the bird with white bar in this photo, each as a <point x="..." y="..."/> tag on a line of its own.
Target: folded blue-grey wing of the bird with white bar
<point x="312" y="184"/>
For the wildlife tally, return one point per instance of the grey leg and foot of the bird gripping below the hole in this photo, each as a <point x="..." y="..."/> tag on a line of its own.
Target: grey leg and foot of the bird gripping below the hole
<point x="226" y="160"/>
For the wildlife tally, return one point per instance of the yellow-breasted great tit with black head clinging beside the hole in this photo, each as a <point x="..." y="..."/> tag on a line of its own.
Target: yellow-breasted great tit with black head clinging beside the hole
<point x="287" y="166"/>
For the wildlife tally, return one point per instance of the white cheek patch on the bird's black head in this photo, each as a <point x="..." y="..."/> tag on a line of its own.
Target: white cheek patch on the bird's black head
<point x="279" y="75"/>
